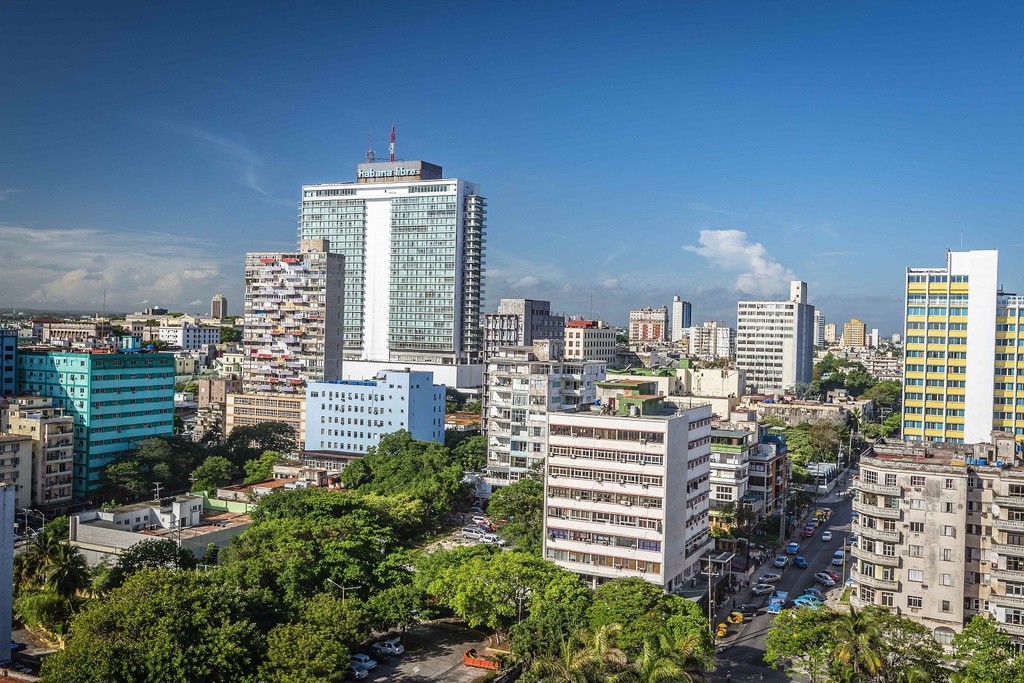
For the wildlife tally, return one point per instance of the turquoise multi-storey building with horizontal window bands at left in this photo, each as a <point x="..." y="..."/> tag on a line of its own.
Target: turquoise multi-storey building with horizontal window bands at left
<point x="117" y="398"/>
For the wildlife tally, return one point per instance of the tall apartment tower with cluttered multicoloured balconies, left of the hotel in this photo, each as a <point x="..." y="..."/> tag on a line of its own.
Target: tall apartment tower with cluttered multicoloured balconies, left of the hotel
<point x="293" y="319"/>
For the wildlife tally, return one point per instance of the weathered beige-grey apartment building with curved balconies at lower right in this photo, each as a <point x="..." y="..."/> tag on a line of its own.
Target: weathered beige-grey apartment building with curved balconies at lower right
<point x="942" y="534"/>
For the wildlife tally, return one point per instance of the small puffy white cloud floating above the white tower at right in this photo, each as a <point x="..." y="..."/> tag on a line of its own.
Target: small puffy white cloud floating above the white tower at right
<point x="759" y="273"/>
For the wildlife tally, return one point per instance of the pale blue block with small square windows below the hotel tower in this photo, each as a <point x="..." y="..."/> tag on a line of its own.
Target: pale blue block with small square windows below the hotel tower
<point x="352" y="416"/>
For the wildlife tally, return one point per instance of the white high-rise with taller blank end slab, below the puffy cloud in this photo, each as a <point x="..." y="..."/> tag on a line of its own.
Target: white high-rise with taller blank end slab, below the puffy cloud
<point x="776" y="341"/>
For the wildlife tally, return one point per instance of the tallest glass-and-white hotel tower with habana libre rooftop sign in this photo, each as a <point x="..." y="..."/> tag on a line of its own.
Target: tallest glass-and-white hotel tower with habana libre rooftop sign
<point x="413" y="243"/>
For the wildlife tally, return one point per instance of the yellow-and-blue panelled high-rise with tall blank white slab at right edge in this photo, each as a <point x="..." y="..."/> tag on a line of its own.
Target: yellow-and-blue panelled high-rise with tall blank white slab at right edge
<point x="964" y="370"/>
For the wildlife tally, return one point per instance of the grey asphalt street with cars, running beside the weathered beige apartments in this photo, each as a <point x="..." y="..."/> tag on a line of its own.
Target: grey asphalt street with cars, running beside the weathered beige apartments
<point x="743" y="652"/>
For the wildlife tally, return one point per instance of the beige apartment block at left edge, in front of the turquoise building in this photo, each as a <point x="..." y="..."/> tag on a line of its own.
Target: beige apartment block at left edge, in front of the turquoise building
<point x="52" y="455"/>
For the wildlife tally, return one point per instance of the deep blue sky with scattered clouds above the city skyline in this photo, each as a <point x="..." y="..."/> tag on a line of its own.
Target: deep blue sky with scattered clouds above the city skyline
<point x="628" y="152"/>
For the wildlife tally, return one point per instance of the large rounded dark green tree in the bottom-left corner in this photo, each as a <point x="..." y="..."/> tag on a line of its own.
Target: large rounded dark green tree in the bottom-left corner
<point x="164" y="627"/>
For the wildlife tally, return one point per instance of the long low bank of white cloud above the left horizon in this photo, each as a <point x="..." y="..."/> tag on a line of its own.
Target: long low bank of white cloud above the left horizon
<point x="71" y="269"/>
